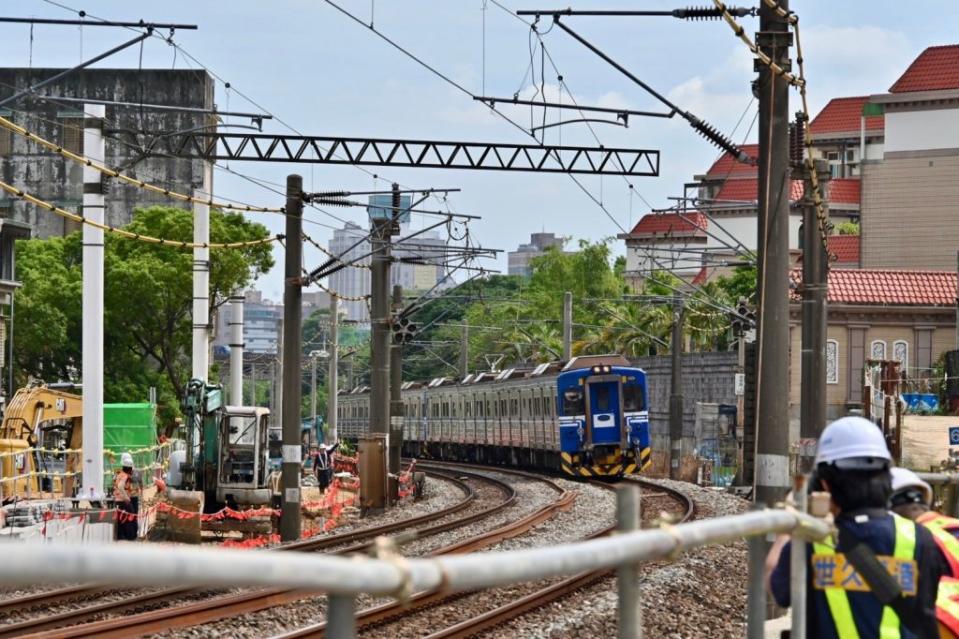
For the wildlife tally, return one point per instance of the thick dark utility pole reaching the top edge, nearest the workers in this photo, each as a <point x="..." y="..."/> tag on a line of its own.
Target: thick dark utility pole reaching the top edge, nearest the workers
<point x="772" y="409"/>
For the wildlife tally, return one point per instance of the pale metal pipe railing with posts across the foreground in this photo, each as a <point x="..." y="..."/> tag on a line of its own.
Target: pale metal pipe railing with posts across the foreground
<point x="389" y="574"/>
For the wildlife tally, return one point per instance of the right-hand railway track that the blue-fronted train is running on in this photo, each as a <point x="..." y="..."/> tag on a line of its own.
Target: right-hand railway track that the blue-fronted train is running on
<point x="383" y="615"/>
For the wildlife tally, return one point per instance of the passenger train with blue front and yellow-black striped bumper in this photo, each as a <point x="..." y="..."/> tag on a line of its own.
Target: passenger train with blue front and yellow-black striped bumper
<point x="587" y="419"/>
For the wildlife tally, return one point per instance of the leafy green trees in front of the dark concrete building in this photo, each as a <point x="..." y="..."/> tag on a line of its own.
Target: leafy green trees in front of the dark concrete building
<point x="147" y="303"/>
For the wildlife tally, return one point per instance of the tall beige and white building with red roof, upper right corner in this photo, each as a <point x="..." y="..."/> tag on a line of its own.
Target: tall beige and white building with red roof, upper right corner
<point x="910" y="195"/>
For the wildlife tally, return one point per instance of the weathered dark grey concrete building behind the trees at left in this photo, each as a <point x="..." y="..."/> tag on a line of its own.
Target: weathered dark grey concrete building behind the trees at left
<point x="55" y="179"/>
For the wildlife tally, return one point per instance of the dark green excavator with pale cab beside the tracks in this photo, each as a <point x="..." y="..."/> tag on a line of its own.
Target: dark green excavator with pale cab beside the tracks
<point x="227" y="450"/>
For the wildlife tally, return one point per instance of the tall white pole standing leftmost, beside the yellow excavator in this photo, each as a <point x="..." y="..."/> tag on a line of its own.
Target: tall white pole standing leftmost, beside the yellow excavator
<point x="93" y="311"/>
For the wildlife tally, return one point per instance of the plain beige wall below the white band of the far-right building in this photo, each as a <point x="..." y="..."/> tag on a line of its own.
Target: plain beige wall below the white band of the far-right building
<point x="910" y="212"/>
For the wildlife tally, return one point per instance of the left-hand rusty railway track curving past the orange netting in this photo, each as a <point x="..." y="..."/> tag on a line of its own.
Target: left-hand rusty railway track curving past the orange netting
<point x="208" y="609"/>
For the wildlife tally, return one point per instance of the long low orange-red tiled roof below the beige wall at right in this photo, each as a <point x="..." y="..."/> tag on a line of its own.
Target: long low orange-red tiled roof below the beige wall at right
<point x="888" y="287"/>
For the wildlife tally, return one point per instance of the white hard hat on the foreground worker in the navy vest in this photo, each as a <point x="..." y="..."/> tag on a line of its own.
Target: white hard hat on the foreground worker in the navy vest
<point x="853" y="443"/>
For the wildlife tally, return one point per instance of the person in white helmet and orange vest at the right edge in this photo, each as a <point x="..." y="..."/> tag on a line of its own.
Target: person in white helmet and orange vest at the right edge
<point x="912" y="498"/>
